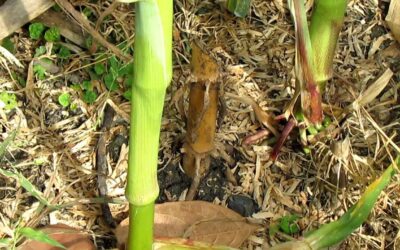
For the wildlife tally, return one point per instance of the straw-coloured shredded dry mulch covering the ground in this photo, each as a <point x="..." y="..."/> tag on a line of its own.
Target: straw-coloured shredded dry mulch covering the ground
<point x="256" y="55"/>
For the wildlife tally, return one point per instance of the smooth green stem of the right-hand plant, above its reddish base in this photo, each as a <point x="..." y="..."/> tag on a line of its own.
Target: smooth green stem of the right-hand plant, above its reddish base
<point x="326" y="22"/>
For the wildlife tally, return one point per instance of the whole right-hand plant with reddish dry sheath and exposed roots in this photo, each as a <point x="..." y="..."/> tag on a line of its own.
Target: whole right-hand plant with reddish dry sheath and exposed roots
<point x="315" y="49"/>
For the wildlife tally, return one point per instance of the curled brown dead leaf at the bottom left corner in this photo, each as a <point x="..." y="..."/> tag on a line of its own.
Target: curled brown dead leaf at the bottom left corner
<point x="71" y="238"/>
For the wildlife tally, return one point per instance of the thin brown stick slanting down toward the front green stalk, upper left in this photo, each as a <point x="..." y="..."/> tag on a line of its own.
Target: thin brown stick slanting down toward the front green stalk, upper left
<point x="64" y="4"/>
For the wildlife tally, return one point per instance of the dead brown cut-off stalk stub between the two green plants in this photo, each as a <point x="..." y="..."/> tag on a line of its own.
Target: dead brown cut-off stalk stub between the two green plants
<point x="202" y="116"/>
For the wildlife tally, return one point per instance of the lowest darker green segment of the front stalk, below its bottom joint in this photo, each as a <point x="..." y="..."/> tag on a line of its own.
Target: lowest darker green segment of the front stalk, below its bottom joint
<point x="141" y="230"/>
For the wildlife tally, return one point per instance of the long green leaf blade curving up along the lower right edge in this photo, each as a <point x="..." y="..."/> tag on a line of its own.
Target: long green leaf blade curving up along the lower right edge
<point x="337" y="231"/>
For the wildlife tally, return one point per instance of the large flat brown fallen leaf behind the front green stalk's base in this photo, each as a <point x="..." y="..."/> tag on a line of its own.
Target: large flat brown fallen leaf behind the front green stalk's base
<point x="196" y="220"/>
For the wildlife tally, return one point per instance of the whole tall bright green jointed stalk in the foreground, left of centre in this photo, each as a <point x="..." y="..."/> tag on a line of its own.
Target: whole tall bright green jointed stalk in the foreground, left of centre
<point x="152" y="75"/>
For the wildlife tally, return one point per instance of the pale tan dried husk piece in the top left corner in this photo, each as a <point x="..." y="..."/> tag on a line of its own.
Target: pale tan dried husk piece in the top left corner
<point x="16" y="13"/>
